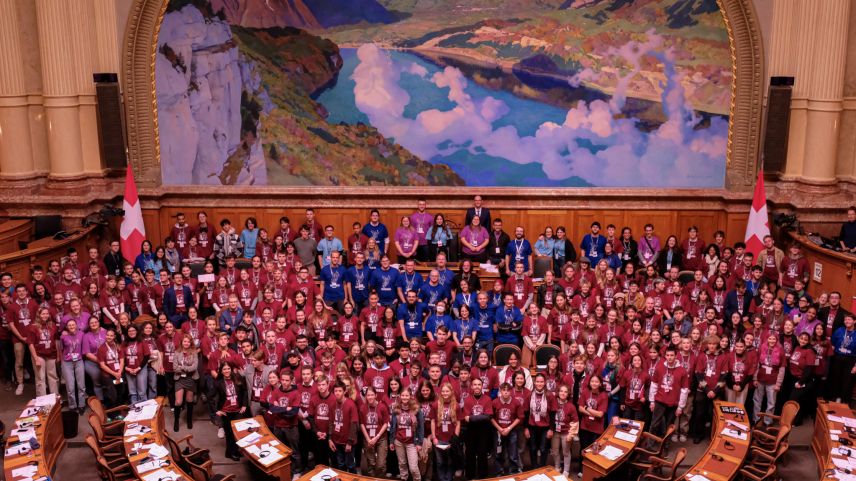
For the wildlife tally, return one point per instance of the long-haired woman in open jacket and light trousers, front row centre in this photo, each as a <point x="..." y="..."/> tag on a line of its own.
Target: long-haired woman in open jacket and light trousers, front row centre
<point x="406" y="434"/>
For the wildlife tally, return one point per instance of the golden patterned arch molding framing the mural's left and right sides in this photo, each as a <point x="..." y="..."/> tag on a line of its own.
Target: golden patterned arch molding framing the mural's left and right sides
<point x="140" y="49"/>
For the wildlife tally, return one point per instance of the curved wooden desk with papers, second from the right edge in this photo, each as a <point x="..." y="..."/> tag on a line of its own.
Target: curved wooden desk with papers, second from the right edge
<point x="726" y="451"/>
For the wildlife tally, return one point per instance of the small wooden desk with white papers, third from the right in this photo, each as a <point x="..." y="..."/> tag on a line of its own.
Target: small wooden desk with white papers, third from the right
<point x="601" y="458"/>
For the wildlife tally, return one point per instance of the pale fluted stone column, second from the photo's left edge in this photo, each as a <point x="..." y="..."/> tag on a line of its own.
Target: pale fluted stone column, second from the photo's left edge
<point x="61" y="103"/>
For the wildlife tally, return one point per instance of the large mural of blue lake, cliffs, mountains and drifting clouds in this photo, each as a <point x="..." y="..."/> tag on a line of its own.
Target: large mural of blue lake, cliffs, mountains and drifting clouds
<point x="444" y="92"/>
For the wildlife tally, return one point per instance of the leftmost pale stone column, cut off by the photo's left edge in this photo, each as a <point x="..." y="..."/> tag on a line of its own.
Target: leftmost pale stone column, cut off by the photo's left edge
<point x="16" y="154"/>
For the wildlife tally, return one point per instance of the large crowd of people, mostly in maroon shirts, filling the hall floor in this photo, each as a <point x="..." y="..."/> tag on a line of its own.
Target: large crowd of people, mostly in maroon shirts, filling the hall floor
<point x="375" y="365"/>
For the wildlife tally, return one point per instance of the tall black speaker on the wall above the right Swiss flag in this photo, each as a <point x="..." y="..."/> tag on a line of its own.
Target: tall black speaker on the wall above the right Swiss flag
<point x="778" y="124"/>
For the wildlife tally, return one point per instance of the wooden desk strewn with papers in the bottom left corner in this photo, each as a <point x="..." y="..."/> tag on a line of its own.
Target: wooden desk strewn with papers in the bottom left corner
<point x="41" y="420"/>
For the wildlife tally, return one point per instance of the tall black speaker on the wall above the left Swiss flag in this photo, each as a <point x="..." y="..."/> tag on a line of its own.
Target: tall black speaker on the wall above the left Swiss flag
<point x="110" y="115"/>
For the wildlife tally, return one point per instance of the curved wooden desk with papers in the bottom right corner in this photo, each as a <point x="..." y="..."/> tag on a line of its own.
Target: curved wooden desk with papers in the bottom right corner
<point x="834" y="422"/>
